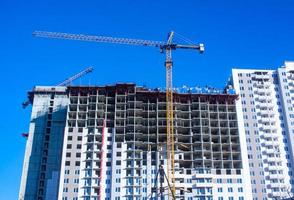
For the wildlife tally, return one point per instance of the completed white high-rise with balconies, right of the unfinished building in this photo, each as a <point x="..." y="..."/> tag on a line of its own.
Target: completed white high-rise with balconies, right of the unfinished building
<point x="266" y="104"/>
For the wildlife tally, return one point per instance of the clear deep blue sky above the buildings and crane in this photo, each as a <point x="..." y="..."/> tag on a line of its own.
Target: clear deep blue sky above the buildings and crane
<point x="236" y="33"/>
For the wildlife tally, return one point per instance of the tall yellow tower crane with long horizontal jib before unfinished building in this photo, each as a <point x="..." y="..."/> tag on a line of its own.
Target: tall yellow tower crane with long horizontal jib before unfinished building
<point x="165" y="47"/>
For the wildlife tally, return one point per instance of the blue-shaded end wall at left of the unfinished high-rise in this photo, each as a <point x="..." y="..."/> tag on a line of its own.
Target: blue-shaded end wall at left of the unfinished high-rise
<point x="41" y="167"/>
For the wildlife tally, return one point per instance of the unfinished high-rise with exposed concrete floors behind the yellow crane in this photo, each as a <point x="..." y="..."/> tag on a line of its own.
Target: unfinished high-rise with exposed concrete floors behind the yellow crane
<point x="108" y="143"/>
